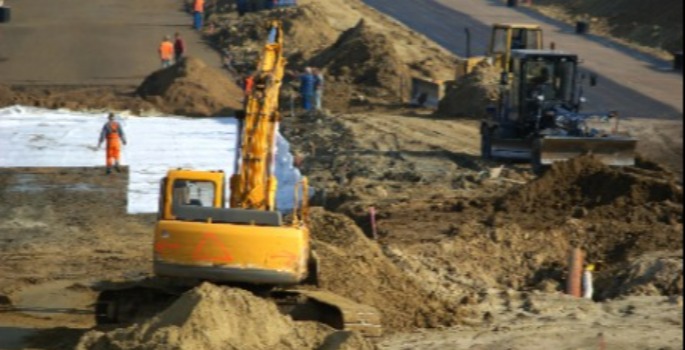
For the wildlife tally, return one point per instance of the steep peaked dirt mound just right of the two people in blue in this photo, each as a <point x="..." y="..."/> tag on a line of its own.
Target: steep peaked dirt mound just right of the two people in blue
<point x="366" y="58"/>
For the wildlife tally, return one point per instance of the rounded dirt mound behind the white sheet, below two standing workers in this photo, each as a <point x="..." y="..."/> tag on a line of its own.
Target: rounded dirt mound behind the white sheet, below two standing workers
<point x="191" y="88"/>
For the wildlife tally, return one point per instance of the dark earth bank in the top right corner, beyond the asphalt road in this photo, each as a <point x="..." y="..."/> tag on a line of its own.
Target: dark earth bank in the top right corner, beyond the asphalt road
<point x="658" y="26"/>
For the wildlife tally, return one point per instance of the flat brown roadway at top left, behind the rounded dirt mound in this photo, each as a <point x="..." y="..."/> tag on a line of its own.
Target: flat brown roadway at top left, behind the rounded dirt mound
<point x="101" y="42"/>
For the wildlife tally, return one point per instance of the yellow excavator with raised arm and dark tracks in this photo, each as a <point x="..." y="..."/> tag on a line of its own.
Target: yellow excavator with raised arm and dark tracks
<point x="248" y="245"/>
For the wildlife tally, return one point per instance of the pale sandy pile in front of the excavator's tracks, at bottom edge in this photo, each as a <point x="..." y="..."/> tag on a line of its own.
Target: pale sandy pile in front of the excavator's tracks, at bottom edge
<point x="213" y="317"/>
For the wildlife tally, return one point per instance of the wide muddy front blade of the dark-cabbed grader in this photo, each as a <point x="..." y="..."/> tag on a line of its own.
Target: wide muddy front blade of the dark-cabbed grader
<point x="614" y="151"/>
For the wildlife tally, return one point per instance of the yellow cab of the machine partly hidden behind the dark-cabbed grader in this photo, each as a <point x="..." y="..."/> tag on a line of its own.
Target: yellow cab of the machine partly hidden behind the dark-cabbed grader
<point x="508" y="37"/>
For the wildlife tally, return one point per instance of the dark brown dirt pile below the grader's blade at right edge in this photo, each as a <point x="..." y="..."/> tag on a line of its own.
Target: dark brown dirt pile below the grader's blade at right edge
<point x="613" y="214"/>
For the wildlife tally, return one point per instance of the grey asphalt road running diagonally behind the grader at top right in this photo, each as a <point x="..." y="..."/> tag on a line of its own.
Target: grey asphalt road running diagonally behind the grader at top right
<point x="632" y="83"/>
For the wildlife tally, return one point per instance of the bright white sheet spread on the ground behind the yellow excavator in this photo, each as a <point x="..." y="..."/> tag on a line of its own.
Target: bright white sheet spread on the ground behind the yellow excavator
<point x="34" y="137"/>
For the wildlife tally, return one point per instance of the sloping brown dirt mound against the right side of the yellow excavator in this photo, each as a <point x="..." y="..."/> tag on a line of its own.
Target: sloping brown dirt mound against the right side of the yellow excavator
<point x="355" y="267"/>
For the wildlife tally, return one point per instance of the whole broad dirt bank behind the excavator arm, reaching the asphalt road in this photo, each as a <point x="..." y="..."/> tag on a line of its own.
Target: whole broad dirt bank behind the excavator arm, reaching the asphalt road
<point x="365" y="57"/>
